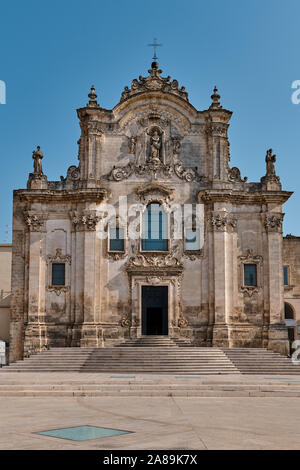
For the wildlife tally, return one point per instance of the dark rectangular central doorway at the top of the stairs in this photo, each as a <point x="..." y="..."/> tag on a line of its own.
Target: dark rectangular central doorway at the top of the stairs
<point x="154" y="310"/>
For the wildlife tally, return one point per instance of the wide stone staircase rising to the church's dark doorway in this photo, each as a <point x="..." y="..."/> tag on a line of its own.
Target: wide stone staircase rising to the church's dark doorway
<point x="157" y="355"/>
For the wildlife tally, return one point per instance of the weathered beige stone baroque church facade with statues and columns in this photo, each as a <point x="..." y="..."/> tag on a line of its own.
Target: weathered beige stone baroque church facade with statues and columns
<point x="220" y="284"/>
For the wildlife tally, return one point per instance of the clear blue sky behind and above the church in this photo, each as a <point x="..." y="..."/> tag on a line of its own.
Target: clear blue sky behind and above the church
<point x="52" y="51"/>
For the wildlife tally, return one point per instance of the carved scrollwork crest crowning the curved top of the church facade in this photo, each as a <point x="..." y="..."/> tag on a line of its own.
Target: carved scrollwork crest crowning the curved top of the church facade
<point x="154" y="82"/>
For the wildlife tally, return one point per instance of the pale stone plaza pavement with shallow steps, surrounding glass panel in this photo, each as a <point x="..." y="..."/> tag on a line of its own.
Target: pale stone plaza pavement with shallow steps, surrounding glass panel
<point x="234" y="412"/>
